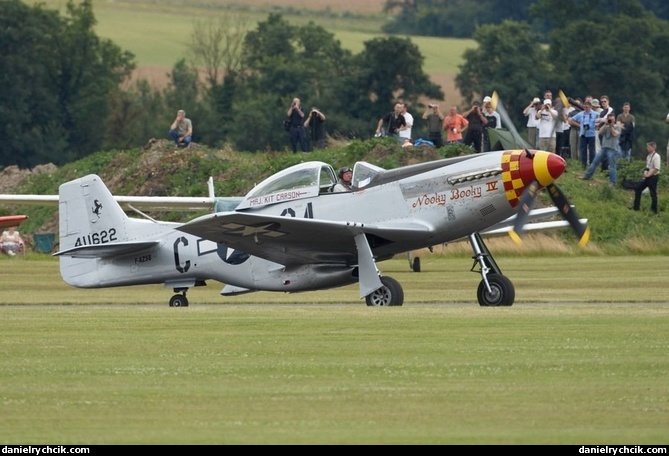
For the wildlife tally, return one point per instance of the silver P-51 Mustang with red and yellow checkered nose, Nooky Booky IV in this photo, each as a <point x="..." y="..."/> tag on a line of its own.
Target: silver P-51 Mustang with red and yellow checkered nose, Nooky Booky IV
<point x="291" y="233"/>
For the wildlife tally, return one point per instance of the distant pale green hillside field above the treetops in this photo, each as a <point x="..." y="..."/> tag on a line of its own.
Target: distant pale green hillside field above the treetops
<point x="158" y="34"/>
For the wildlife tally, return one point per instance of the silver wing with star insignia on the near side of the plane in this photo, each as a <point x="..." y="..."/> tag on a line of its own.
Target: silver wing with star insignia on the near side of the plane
<point x="294" y="241"/>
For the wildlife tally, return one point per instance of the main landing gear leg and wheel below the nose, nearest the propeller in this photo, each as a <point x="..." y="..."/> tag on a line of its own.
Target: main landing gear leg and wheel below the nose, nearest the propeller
<point x="495" y="289"/>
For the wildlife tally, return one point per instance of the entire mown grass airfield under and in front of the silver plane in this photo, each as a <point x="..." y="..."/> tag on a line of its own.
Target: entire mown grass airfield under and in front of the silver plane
<point x="571" y="362"/>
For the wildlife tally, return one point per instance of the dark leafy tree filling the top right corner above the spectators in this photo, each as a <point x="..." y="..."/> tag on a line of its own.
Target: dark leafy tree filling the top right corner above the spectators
<point x="620" y="51"/>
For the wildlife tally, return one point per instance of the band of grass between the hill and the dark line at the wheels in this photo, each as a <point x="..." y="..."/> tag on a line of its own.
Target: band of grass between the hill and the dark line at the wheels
<point x="444" y="279"/>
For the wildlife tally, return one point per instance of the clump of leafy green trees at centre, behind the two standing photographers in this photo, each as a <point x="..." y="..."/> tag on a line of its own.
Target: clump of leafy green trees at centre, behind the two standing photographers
<point x="281" y="61"/>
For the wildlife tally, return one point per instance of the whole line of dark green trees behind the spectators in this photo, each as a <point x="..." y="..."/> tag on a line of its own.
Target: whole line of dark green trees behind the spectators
<point x="67" y="94"/>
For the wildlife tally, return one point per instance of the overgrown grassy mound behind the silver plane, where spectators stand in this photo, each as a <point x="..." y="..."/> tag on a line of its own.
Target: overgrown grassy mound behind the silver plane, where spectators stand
<point x="159" y="169"/>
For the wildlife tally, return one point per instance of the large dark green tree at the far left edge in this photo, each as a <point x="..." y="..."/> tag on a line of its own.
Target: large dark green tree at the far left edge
<point x="62" y="77"/>
